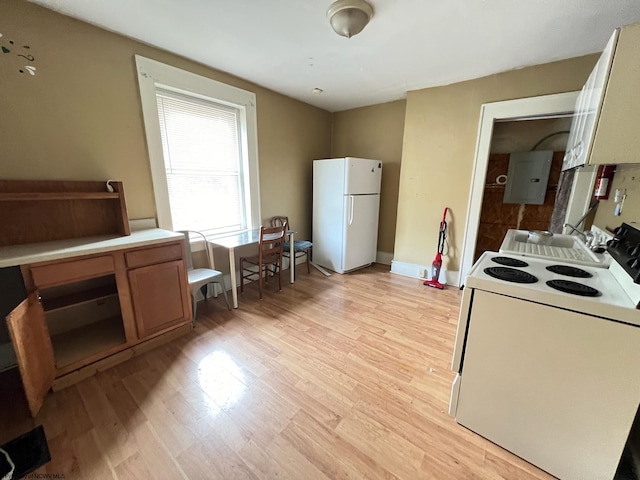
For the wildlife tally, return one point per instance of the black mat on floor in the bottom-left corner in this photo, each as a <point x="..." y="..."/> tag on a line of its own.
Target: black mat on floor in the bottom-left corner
<point x="27" y="452"/>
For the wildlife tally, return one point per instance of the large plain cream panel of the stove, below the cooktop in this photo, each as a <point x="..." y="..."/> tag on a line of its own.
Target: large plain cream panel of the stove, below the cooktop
<point x="544" y="382"/>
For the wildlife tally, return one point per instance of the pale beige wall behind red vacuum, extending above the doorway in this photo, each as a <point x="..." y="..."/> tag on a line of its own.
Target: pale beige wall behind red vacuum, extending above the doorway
<point x="441" y="128"/>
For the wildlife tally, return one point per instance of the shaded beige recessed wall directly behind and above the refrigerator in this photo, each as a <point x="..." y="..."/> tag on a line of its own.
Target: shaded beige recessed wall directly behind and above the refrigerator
<point x="375" y="132"/>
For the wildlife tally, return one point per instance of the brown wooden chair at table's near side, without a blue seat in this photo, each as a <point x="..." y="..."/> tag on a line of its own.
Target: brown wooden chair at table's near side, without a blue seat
<point x="268" y="261"/>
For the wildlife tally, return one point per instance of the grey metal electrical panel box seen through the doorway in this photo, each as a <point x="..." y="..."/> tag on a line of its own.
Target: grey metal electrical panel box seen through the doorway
<point x="527" y="177"/>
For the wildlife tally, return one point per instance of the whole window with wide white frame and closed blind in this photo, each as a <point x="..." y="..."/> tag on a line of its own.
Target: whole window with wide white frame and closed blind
<point x="201" y="136"/>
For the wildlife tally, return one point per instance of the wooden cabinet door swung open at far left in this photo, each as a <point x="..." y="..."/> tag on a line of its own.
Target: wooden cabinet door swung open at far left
<point x="34" y="351"/>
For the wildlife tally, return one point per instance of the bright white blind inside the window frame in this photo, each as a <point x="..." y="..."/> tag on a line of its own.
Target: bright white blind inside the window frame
<point x="203" y="163"/>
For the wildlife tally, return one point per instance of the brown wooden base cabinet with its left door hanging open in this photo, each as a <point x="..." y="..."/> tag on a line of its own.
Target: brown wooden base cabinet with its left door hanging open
<point x="87" y="312"/>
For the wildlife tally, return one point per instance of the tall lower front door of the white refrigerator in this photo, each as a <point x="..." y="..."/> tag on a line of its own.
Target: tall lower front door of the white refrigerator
<point x="360" y="230"/>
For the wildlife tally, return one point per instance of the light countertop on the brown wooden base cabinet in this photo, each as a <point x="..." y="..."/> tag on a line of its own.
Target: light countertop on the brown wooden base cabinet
<point x="14" y="255"/>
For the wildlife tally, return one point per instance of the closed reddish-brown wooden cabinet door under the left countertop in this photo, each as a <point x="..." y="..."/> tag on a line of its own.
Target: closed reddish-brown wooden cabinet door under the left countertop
<point x="160" y="297"/>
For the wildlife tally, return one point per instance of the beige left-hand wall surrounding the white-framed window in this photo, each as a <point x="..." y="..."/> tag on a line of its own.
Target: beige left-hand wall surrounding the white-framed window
<point x="79" y="117"/>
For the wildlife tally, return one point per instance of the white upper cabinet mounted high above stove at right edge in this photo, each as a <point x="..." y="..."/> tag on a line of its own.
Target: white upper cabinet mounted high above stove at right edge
<point x="604" y="129"/>
